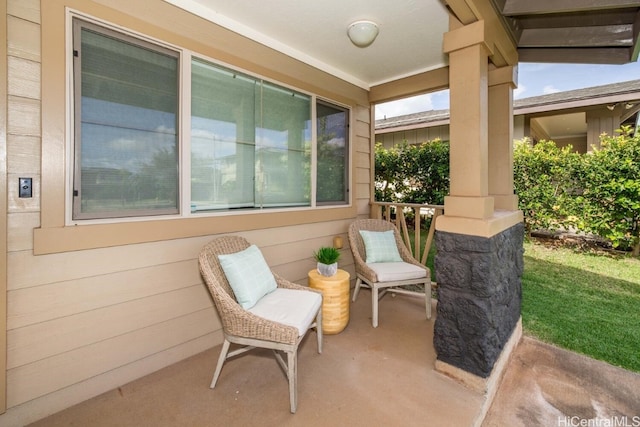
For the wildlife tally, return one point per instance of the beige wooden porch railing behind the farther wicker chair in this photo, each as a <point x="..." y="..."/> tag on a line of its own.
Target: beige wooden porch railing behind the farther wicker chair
<point x="397" y="213"/>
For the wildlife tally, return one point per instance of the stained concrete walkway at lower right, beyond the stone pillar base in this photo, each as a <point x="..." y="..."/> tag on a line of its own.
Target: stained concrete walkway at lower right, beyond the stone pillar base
<point x="548" y="386"/>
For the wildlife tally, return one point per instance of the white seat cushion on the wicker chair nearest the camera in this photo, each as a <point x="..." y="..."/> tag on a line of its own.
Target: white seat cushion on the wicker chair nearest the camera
<point x="289" y="306"/>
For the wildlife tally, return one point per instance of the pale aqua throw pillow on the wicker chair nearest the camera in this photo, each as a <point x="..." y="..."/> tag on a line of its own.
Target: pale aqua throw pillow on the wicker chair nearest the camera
<point x="249" y="275"/>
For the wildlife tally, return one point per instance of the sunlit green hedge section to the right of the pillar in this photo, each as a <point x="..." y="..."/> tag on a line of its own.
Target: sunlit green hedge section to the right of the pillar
<point x="595" y="193"/>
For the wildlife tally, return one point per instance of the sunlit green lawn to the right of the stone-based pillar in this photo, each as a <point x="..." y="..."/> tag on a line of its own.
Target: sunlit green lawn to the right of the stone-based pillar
<point x="585" y="302"/>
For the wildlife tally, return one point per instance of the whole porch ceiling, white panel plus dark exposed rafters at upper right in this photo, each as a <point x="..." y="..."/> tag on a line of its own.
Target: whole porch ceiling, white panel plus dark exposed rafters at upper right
<point x="411" y="31"/>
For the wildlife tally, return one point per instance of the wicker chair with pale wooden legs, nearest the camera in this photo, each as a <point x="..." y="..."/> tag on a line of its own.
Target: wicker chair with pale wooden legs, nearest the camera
<point x="242" y="327"/>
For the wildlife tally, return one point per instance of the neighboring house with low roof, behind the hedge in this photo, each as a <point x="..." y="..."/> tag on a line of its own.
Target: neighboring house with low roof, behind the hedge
<point x="576" y="117"/>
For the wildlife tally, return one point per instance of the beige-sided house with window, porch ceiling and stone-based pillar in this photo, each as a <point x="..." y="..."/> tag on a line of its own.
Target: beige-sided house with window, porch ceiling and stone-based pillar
<point x="149" y="127"/>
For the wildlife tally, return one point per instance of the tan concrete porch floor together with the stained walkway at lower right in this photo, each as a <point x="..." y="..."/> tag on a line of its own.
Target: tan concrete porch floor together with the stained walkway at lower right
<point x="364" y="377"/>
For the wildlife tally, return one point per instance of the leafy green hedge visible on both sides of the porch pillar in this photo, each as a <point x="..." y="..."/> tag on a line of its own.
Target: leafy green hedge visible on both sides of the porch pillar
<point x="558" y="189"/>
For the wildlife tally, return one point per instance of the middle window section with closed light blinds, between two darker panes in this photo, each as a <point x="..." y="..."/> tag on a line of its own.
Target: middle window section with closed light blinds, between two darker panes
<point x="250" y="142"/>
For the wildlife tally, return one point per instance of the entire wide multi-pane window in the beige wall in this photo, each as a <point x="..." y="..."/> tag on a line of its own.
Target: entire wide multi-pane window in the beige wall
<point x="250" y="141"/>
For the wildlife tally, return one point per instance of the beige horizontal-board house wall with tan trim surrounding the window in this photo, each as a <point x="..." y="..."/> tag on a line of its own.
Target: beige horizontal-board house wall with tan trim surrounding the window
<point x="94" y="307"/>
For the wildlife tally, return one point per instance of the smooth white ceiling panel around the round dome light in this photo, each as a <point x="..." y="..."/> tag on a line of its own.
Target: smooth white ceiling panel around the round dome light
<point x="409" y="42"/>
